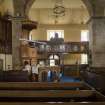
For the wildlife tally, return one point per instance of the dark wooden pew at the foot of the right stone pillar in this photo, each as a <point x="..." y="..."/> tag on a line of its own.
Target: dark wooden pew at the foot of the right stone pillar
<point x="97" y="75"/>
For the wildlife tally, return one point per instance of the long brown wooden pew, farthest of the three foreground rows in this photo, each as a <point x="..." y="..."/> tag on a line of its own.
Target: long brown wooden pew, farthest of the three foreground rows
<point x="41" y="85"/>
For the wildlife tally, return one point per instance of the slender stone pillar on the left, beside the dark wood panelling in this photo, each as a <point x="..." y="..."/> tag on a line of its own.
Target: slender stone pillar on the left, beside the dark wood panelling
<point x="16" y="33"/>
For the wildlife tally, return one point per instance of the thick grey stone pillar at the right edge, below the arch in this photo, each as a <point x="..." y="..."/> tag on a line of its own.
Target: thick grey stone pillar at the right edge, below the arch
<point x="97" y="41"/>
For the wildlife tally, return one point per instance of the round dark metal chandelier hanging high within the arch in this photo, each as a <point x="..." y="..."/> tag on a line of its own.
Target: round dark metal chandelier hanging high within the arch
<point x="59" y="9"/>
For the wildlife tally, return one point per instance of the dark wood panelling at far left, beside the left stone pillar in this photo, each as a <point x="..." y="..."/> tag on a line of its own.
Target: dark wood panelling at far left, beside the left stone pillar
<point x="5" y="36"/>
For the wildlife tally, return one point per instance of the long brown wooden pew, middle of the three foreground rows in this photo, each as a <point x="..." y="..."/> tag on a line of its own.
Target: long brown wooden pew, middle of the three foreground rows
<point x="45" y="93"/>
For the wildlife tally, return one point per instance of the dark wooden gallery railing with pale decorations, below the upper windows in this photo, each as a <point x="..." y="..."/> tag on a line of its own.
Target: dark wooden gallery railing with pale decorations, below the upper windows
<point x="67" y="47"/>
